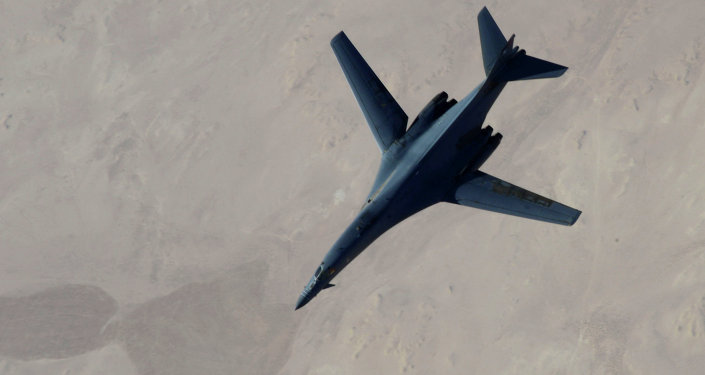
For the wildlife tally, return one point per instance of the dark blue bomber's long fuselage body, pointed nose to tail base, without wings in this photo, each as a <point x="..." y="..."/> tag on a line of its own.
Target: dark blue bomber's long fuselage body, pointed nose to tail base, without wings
<point x="417" y="171"/>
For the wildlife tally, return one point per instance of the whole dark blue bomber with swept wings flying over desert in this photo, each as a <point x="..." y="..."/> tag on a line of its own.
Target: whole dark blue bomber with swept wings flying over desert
<point x="437" y="158"/>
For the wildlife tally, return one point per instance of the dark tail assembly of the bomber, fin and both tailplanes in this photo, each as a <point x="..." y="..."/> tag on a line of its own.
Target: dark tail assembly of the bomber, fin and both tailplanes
<point x="516" y="64"/>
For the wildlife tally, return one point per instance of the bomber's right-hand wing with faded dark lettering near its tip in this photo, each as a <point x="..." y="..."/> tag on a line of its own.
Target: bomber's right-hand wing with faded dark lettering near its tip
<point x="481" y="190"/>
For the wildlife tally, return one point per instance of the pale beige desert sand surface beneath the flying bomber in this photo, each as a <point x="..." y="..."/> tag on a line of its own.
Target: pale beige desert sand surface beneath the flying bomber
<point x="172" y="173"/>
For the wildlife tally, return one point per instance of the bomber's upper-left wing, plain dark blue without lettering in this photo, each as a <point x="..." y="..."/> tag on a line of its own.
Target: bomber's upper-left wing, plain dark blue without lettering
<point x="384" y="115"/>
